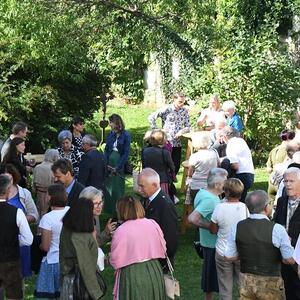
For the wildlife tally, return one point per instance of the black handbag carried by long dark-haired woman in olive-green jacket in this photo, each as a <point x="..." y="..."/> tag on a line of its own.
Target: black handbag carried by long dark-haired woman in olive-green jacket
<point x="79" y="289"/>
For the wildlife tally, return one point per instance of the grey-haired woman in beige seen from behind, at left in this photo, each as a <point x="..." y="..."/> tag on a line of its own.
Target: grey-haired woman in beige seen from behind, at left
<point x="43" y="178"/>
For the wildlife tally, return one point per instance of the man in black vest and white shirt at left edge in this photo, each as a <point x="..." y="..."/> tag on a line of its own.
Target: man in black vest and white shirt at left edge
<point x="14" y="232"/>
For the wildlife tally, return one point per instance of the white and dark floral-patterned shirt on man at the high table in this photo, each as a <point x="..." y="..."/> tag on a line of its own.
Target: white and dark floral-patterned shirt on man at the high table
<point x="173" y="122"/>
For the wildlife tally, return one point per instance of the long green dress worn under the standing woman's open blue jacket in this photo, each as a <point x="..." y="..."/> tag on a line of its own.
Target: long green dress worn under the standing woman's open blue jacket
<point x="115" y="186"/>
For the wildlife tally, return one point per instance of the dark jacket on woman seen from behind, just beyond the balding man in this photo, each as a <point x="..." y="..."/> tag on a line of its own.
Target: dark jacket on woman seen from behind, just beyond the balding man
<point x="160" y="160"/>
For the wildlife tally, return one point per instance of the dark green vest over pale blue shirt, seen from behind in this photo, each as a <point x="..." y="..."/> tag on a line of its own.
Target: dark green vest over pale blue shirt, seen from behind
<point x="257" y="253"/>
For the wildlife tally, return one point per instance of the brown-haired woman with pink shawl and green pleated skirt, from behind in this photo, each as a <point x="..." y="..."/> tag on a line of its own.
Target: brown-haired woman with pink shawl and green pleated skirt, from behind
<point x="136" y="246"/>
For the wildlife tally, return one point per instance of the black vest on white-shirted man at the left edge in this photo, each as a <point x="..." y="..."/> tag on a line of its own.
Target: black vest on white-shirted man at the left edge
<point x="9" y="233"/>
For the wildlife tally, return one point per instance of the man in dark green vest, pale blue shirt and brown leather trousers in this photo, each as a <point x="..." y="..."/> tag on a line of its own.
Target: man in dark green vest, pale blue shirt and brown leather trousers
<point x="261" y="245"/>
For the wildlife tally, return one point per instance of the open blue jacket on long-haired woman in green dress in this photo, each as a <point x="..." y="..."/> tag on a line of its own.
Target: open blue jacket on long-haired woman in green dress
<point x="123" y="147"/>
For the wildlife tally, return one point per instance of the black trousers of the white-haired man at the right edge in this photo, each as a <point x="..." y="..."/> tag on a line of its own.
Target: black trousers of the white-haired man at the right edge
<point x="291" y="282"/>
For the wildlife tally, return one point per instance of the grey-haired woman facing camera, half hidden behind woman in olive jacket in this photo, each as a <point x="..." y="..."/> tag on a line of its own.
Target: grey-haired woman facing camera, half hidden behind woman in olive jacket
<point x="96" y="196"/>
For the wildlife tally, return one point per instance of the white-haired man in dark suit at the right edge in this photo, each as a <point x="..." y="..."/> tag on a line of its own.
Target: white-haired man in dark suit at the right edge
<point x="288" y="214"/>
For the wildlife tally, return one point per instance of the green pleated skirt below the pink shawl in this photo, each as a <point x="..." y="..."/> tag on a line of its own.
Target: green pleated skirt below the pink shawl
<point x="142" y="281"/>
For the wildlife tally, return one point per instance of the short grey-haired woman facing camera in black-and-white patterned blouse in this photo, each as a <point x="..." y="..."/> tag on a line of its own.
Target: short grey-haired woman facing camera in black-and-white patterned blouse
<point x="69" y="151"/>
